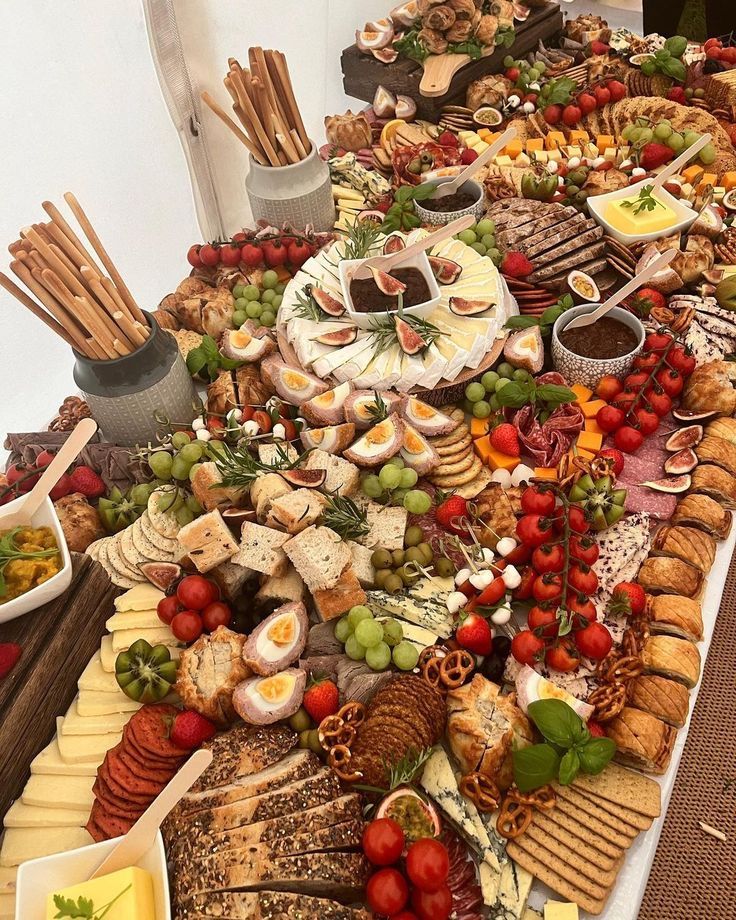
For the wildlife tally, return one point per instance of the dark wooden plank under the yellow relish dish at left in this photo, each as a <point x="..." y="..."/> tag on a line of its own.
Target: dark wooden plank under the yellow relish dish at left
<point x="57" y="640"/>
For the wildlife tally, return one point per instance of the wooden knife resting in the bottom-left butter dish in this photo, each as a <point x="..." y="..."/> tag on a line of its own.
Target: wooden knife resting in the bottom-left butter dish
<point x="140" y="838"/>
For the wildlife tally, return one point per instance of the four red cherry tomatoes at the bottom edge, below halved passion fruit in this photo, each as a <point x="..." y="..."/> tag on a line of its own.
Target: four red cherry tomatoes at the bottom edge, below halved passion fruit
<point x="420" y="879"/>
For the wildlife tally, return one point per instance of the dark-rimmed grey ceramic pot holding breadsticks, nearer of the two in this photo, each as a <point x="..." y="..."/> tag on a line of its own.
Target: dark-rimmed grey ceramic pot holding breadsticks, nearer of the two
<point x="123" y="394"/>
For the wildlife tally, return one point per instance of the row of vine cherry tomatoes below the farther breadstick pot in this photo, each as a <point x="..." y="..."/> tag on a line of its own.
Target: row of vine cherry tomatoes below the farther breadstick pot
<point x="273" y="252"/>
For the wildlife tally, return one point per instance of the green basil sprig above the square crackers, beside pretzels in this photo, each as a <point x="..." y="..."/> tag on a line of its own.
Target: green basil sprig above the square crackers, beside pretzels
<point x="568" y="748"/>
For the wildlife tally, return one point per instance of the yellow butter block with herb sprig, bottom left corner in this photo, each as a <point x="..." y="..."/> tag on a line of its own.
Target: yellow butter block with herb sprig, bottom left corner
<point x="129" y="892"/>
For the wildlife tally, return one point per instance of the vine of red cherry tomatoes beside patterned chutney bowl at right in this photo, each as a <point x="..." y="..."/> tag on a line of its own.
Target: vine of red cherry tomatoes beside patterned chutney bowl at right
<point x="646" y="395"/>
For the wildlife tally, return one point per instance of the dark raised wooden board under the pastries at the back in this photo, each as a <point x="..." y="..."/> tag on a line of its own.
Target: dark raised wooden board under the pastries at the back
<point x="362" y="73"/>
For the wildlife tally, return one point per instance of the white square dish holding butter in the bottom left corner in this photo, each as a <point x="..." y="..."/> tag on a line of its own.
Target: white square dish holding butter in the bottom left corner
<point x="37" y="878"/>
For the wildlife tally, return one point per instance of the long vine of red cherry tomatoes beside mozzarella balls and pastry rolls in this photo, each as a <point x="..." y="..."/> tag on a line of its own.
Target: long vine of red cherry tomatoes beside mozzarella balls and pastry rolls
<point x="561" y="565"/>
